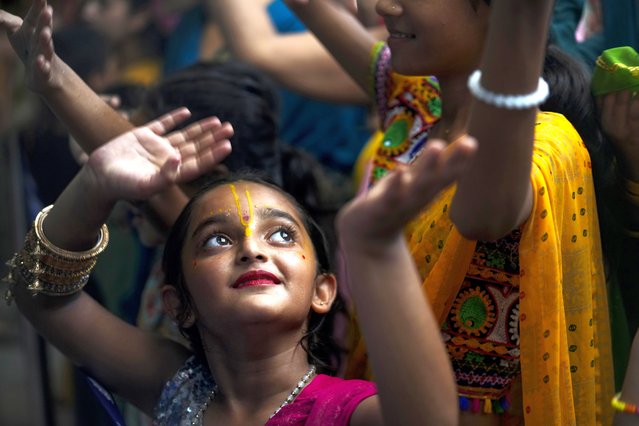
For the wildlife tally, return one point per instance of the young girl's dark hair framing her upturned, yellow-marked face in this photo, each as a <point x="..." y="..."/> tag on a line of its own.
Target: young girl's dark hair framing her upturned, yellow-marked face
<point x="322" y="350"/>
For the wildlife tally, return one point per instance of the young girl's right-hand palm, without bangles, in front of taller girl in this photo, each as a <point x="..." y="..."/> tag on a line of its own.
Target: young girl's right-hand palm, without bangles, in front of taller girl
<point x="379" y="216"/>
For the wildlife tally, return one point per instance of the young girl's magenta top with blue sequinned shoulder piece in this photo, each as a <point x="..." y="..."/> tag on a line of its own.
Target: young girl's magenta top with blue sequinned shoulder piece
<point x="324" y="401"/>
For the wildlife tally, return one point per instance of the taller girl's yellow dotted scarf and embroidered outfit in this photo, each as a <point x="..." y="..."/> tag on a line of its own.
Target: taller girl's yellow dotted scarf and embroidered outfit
<point x="528" y="311"/>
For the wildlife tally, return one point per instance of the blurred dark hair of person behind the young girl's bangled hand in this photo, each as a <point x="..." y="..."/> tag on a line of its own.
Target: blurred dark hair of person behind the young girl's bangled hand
<point x="235" y="92"/>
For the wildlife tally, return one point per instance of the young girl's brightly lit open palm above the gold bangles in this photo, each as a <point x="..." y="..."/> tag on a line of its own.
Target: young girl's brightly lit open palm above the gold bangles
<point x="145" y="160"/>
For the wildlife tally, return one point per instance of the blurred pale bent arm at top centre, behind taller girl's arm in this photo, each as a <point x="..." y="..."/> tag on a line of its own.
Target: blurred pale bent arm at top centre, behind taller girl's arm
<point x="297" y="60"/>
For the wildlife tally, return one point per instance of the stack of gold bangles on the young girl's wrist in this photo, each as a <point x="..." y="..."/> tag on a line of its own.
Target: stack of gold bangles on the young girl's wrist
<point x="50" y="270"/>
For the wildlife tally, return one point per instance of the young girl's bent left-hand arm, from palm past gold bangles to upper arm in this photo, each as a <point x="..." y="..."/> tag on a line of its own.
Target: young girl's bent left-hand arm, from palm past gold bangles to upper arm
<point x="133" y="166"/>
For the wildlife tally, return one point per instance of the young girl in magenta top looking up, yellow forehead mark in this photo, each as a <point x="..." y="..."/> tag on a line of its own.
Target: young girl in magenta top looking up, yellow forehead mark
<point x="246" y="279"/>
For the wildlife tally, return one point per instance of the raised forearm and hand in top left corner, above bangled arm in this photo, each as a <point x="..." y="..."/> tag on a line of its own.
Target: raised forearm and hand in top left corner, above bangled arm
<point x="89" y="119"/>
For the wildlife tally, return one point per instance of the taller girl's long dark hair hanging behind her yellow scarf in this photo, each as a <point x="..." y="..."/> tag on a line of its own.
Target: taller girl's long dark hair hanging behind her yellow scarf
<point x="571" y="95"/>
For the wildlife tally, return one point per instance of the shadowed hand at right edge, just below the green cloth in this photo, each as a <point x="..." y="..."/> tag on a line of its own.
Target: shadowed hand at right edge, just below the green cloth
<point x="619" y="112"/>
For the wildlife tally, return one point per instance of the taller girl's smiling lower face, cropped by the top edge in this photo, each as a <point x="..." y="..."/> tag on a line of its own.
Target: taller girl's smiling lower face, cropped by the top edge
<point x="435" y="37"/>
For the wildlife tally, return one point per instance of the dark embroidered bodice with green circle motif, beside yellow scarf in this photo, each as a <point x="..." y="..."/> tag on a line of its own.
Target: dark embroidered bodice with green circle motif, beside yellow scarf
<point x="481" y="330"/>
